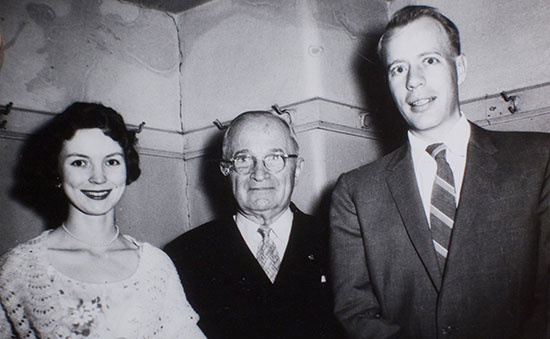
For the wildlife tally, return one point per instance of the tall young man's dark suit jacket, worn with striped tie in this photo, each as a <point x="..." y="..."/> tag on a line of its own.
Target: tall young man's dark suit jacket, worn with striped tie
<point x="386" y="278"/>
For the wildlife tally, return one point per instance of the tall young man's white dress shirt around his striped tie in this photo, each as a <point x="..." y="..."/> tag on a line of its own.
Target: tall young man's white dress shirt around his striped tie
<point x="425" y="167"/>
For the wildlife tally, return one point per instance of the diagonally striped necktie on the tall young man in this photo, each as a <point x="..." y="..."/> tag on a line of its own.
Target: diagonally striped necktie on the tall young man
<point x="443" y="203"/>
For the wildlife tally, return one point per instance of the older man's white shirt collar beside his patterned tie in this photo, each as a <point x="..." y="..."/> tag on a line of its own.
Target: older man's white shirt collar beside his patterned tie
<point x="280" y="231"/>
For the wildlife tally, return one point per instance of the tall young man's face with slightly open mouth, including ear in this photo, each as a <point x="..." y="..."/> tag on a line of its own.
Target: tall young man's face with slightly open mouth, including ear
<point x="423" y="75"/>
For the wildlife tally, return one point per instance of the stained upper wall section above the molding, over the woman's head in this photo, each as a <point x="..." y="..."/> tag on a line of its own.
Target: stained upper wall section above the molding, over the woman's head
<point x="59" y="51"/>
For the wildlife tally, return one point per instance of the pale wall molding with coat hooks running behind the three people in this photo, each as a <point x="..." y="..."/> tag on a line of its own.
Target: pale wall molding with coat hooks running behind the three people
<point x="307" y="115"/>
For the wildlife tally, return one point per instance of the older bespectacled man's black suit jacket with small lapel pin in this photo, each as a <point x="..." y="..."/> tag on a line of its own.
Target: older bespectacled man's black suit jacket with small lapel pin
<point x="234" y="298"/>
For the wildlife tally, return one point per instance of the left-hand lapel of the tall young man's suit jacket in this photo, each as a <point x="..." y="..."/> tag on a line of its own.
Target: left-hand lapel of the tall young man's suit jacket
<point x="402" y="184"/>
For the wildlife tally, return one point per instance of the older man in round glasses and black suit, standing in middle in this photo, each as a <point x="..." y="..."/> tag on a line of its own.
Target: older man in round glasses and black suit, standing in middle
<point x="260" y="273"/>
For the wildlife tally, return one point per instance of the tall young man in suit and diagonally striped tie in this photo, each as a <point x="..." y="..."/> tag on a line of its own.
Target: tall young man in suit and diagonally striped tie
<point x="448" y="235"/>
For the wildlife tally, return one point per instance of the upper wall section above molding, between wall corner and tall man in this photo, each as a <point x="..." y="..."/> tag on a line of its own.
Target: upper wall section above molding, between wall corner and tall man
<point x="241" y="55"/>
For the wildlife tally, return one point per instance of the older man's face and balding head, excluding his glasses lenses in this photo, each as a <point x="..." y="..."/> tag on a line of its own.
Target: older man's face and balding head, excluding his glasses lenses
<point x="261" y="194"/>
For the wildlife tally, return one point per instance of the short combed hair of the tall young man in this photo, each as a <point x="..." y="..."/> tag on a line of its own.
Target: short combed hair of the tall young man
<point x="408" y="14"/>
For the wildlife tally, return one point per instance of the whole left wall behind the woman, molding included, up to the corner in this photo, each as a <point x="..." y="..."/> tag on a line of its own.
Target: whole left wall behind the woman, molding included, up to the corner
<point x="127" y="57"/>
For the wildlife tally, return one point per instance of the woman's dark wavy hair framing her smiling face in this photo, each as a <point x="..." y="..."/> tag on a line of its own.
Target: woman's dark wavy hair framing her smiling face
<point x="37" y="173"/>
